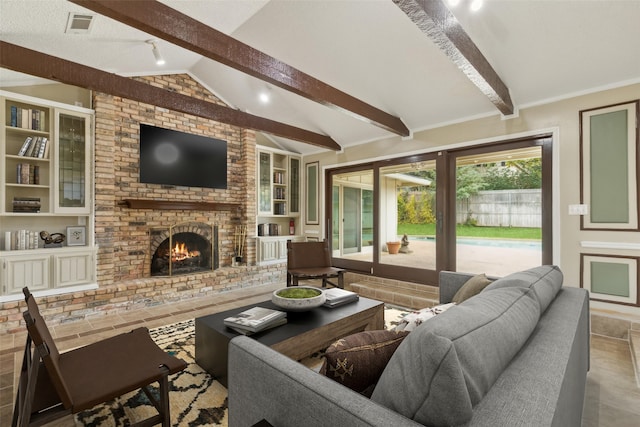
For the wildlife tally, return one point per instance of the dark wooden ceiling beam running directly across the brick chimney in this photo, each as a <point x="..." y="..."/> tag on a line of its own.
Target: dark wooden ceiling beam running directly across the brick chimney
<point x="39" y="64"/>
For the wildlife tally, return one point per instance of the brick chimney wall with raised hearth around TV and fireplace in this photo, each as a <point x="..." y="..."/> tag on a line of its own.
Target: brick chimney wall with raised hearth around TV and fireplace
<point x="123" y="261"/>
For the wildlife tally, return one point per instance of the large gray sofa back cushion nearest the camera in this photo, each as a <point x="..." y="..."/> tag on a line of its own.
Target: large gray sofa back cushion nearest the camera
<point x="445" y="367"/>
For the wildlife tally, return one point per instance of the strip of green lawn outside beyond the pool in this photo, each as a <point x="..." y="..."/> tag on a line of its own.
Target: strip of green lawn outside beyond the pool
<point x="473" y="231"/>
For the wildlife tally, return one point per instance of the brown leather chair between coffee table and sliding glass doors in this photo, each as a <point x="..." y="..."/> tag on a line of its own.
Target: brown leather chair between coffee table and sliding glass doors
<point x="311" y="260"/>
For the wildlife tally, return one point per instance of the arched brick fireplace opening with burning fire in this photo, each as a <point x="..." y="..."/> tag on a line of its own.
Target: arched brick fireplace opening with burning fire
<point x="184" y="249"/>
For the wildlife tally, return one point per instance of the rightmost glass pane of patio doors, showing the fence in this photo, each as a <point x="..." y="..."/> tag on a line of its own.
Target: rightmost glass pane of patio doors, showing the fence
<point x="499" y="211"/>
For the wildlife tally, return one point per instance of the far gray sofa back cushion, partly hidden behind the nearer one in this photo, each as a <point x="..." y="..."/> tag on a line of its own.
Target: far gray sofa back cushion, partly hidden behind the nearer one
<point x="545" y="281"/>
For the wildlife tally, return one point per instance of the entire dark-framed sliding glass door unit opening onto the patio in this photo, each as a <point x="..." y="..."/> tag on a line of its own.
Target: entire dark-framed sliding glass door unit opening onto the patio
<point x="484" y="209"/>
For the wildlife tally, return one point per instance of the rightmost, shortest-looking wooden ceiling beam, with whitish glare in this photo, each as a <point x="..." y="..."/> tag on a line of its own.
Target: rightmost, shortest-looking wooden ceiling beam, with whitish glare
<point x="435" y="19"/>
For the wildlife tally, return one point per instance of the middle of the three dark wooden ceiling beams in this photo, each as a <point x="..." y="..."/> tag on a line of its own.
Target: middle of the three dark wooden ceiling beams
<point x="157" y="19"/>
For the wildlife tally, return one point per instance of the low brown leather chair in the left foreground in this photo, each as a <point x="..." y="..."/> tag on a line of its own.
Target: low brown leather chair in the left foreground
<point x="54" y="384"/>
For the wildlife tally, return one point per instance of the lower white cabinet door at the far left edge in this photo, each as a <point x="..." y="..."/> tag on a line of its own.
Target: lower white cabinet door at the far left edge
<point x="20" y="271"/>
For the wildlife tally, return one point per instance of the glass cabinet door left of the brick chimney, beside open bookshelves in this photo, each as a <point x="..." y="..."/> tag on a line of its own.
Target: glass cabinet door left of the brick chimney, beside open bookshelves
<point x="72" y="163"/>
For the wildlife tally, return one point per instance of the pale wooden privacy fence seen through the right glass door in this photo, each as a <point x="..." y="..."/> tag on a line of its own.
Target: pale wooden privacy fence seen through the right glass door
<point x="502" y="208"/>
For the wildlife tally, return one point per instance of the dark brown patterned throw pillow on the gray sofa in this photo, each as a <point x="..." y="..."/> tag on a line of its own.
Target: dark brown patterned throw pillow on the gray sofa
<point x="357" y="361"/>
